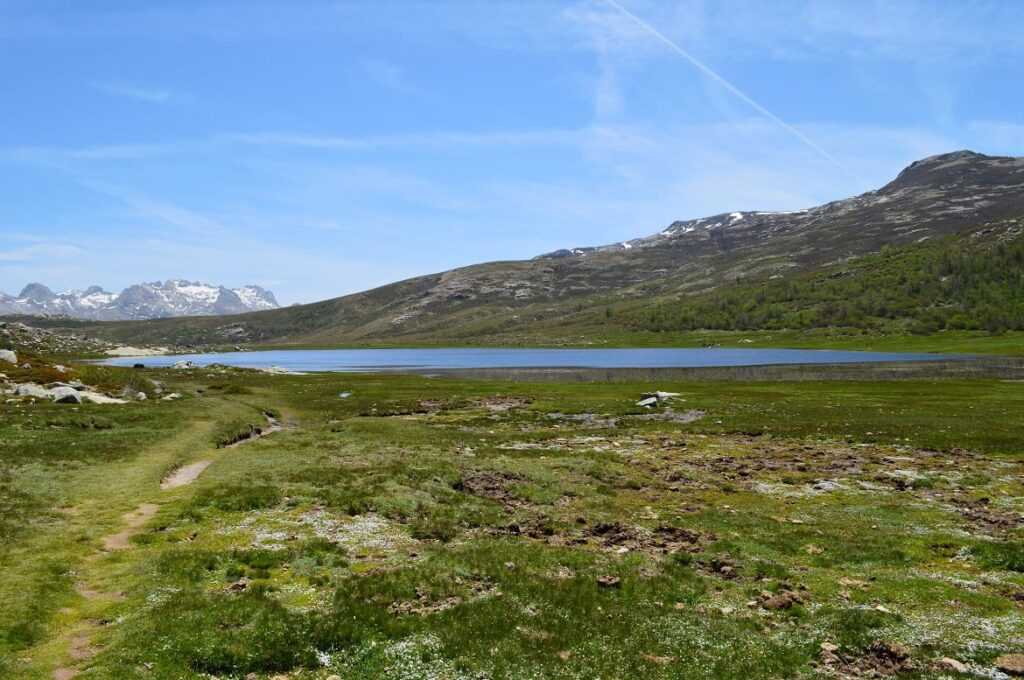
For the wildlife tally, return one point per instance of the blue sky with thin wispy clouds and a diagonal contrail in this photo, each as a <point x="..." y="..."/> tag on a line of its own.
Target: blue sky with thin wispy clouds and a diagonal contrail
<point x="324" y="148"/>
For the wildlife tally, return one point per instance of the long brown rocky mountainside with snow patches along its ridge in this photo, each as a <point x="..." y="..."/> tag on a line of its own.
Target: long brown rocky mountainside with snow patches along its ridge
<point x="601" y="289"/>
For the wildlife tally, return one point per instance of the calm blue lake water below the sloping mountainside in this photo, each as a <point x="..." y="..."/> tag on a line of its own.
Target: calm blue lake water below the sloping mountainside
<point x="489" y="358"/>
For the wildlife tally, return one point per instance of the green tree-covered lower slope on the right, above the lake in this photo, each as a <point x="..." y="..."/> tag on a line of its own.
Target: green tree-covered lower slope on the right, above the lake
<point x="952" y="283"/>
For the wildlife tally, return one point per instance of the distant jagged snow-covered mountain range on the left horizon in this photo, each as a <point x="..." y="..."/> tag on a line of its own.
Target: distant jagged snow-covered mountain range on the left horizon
<point x="158" y="301"/>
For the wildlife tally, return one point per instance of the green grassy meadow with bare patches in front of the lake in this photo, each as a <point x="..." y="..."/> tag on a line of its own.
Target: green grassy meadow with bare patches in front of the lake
<point x="454" y="529"/>
